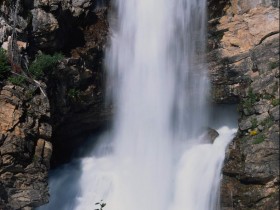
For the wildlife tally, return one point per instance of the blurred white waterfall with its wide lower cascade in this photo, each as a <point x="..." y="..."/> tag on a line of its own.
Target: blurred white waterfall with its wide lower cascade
<point x="157" y="156"/>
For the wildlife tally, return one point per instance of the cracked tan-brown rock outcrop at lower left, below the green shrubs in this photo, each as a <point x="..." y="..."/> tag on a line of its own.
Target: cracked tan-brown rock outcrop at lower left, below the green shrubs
<point x="25" y="148"/>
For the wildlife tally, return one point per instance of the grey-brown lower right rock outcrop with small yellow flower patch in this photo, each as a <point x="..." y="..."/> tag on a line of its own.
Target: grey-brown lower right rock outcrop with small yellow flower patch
<point x="252" y="168"/>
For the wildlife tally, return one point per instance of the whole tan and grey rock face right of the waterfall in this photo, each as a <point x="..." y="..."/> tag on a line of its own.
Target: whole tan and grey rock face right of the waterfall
<point x="244" y="68"/>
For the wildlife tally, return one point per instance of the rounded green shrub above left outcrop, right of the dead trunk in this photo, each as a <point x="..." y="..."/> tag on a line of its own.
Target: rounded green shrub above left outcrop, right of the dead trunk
<point x="44" y="64"/>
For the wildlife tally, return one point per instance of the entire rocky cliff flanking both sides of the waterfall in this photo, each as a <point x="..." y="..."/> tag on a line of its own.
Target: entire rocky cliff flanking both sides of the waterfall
<point x="243" y="58"/>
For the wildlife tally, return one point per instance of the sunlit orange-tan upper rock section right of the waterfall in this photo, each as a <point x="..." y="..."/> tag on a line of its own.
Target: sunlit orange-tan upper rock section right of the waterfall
<point x="231" y="59"/>
